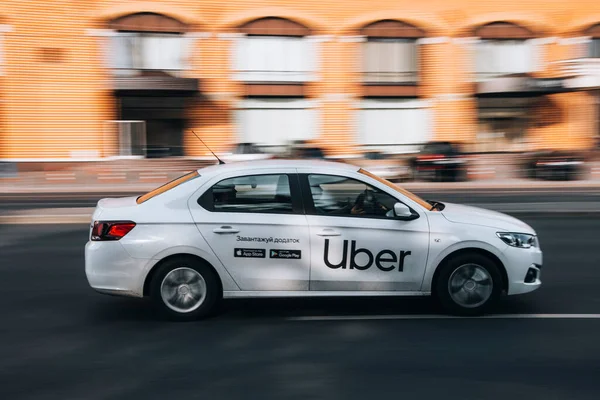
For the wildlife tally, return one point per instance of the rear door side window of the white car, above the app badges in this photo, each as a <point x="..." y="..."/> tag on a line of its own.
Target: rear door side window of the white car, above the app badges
<point x="253" y="193"/>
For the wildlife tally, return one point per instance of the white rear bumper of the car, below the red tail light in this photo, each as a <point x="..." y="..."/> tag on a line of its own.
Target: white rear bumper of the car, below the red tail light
<point x="111" y="270"/>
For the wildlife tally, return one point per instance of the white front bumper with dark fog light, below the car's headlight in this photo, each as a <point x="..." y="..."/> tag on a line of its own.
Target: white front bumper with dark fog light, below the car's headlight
<point x="523" y="269"/>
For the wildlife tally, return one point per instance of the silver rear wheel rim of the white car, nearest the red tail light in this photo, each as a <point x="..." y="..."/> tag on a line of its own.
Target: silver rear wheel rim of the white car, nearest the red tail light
<point x="183" y="290"/>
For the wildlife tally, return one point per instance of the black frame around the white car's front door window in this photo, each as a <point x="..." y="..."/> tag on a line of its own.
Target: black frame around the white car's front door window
<point x="310" y="209"/>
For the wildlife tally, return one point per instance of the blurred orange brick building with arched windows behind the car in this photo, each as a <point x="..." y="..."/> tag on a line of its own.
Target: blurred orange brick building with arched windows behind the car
<point x="102" y="78"/>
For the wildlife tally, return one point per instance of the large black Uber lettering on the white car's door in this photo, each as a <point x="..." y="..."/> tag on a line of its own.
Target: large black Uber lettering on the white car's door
<point x="384" y="256"/>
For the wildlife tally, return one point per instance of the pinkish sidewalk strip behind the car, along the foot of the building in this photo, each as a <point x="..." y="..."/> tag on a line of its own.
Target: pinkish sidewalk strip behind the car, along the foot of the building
<point x="138" y="177"/>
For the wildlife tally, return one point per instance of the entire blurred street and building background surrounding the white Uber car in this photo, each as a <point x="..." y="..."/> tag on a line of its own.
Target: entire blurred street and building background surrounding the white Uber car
<point x="492" y="103"/>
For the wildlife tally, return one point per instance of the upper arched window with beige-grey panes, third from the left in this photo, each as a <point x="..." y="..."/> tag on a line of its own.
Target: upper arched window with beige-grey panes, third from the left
<point x="391" y="53"/>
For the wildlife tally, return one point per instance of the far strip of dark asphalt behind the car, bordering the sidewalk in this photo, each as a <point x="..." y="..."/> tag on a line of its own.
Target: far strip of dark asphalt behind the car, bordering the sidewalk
<point x="11" y="202"/>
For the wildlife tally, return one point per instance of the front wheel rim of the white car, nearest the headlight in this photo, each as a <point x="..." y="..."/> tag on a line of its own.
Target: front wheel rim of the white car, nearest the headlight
<point x="470" y="285"/>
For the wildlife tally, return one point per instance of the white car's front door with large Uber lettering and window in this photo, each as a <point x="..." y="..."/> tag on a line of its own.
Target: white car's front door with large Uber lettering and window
<point x="357" y="242"/>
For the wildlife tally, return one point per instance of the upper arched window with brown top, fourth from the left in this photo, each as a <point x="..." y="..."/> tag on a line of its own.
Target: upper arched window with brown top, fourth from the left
<point x="504" y="49"/>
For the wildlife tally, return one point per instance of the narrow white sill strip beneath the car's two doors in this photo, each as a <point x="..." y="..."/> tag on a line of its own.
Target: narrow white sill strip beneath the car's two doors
<point x="320" y="293"/>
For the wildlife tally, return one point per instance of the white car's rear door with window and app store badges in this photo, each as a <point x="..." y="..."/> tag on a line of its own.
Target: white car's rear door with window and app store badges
<point x="255" y="224"/>
